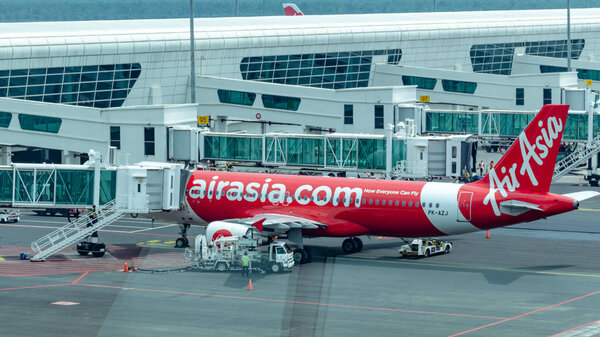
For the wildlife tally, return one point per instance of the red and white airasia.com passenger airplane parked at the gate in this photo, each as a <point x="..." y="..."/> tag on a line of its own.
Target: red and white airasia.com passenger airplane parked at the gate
<point x="515" y="190"/>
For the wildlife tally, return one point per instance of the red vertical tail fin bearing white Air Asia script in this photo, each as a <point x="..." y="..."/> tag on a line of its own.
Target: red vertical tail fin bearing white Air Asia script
<point x="528" y="165"/>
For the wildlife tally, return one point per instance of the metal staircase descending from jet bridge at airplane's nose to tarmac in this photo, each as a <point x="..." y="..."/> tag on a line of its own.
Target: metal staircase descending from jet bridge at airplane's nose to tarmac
<point x="74" y="231"/>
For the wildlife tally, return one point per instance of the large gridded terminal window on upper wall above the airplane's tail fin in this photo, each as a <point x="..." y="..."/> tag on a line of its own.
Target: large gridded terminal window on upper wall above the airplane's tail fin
<point x="498" y="58"/>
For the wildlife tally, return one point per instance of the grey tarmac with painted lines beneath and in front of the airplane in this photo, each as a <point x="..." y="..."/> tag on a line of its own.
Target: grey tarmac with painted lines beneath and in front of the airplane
<point x="534" y="279"/>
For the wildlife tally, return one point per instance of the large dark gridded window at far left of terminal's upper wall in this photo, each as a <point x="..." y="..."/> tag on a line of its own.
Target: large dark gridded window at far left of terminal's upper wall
<point x="99" y="86"/>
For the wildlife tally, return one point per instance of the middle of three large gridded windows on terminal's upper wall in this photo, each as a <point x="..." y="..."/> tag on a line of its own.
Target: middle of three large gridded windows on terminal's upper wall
<point x="336" y="70"/>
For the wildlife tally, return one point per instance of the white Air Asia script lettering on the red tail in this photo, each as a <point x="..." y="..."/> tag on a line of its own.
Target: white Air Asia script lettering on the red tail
<point x="536" y="151"/>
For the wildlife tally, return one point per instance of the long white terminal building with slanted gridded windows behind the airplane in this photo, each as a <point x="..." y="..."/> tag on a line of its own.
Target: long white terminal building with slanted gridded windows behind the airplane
<point x="69" y="86"/>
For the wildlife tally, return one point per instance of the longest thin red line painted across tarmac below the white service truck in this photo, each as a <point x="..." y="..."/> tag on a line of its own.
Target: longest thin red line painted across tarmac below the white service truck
<point x="287" y="301"/>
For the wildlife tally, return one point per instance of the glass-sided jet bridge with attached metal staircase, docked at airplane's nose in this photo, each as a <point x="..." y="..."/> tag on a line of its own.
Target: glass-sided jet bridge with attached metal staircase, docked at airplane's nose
<point x="113" y="190"/>
